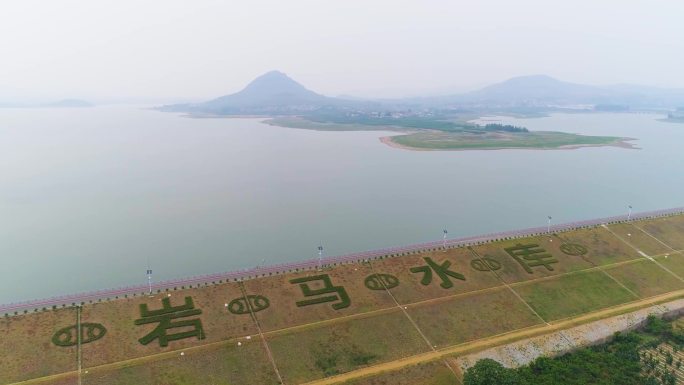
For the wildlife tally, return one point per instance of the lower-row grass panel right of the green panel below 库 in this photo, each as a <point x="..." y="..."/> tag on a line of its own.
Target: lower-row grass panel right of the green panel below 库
<point x="645" y="278"/>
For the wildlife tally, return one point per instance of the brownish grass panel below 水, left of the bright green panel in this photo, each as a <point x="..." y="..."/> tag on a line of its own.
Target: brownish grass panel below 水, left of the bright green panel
<point x="448" y="322"/>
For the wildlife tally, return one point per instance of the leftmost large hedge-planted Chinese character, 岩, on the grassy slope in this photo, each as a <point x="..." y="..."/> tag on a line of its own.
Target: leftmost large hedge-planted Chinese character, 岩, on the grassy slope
<point x="165" y="318"/>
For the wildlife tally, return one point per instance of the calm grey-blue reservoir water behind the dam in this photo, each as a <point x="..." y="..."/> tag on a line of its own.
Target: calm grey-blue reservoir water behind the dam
<point x="89" y="196"/>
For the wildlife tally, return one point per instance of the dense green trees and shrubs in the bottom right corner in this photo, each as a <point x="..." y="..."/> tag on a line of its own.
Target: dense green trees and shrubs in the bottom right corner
<point x="650" y="357"/>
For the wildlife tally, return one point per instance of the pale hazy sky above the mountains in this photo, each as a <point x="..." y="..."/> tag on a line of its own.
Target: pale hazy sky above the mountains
<point x="200" y="48"/>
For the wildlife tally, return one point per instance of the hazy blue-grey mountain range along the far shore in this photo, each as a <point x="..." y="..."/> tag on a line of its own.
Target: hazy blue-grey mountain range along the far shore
<point x="275" y="93"/>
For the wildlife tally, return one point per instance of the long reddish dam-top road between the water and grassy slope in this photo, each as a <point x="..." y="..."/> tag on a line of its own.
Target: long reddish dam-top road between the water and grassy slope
<point x="163" y="286"/>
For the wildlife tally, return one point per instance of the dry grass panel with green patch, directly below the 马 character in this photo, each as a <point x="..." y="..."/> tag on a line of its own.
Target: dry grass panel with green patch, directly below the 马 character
<point x="336" y="348"/>
